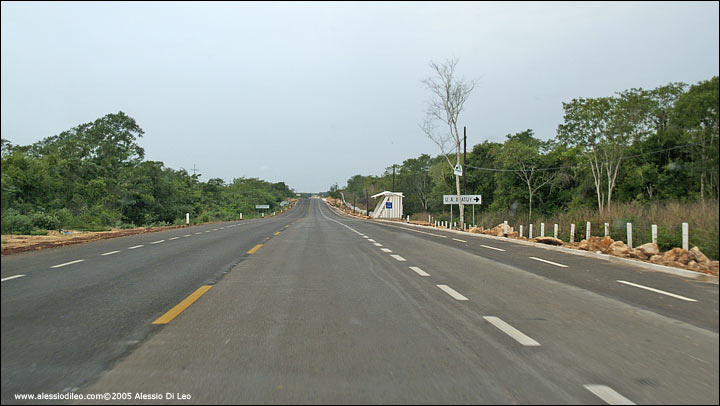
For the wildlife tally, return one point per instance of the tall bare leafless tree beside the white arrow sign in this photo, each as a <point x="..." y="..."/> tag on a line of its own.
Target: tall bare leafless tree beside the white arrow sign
<point x="449" y="95"/>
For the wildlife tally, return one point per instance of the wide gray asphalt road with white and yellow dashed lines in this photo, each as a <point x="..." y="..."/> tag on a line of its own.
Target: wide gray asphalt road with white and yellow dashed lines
<point x="332" y="309"/>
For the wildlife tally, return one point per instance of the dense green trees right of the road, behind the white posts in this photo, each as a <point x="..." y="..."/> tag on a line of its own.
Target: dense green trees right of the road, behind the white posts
<point x="637" y="151"/>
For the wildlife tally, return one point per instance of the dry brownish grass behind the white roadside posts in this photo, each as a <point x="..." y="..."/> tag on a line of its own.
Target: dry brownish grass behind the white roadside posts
<point x="702" y="219"/>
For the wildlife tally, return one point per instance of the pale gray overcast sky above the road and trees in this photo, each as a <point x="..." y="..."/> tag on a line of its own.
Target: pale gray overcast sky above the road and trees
<point x="313" y="93"/>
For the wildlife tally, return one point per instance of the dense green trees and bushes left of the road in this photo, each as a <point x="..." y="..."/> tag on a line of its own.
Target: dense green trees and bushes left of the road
<point x="94" y="177"/>
